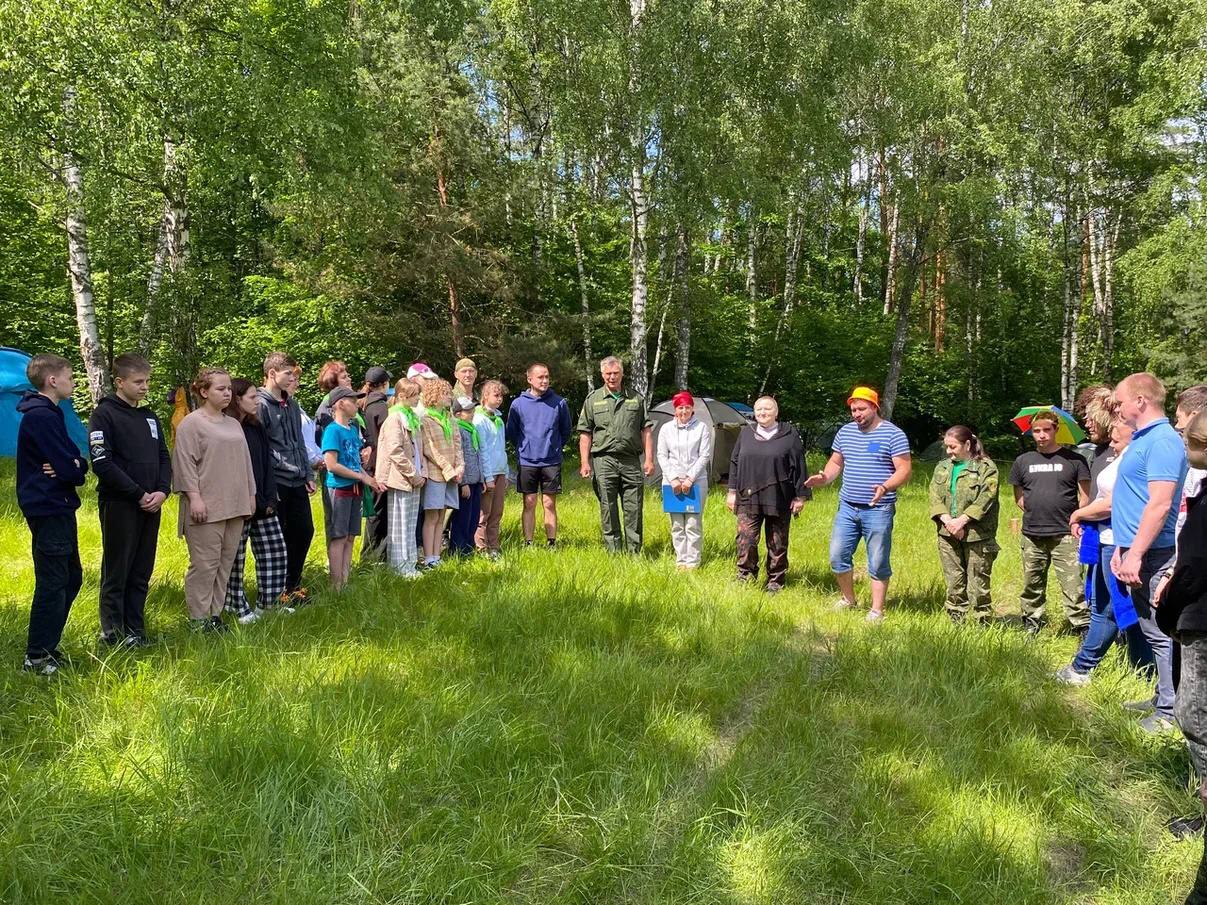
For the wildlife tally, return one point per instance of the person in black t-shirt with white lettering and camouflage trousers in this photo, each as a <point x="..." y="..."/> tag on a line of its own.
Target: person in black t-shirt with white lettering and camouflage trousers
<point x="1049" y="486"/>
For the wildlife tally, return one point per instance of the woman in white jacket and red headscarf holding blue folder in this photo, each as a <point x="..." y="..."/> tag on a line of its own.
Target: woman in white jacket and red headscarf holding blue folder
<point x="685" y="449"/>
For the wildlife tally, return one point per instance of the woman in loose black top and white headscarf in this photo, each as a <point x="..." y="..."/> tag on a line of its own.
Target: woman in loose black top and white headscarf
<point x="767" y="489"/>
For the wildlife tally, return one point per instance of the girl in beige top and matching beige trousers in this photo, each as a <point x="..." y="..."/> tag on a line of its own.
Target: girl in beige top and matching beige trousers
<point x="212" y="471"/>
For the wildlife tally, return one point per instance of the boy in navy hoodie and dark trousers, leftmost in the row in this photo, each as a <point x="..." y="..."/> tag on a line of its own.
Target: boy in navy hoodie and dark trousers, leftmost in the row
<point x="50" y="468"/>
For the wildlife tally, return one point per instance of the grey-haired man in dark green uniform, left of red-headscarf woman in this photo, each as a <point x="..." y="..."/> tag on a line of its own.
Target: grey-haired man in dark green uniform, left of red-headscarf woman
<point x="615" y="433"/>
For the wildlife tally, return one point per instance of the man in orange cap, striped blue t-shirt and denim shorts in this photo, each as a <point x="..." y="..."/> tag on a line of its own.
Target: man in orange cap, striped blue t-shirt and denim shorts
<point x="873" y="457"/>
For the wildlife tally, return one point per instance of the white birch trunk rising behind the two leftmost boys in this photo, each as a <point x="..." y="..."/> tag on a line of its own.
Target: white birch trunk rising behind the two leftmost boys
<point x="79" y="265"/>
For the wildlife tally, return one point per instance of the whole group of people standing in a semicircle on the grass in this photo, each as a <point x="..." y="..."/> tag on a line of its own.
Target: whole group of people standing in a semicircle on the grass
<point x="247" y="462"/>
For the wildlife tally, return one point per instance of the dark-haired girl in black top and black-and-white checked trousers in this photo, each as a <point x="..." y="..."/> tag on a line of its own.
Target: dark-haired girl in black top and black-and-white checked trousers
<point x="264" y="529"/>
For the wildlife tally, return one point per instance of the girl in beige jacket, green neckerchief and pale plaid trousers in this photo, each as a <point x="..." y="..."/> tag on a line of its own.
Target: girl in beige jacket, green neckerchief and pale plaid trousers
<point x="400" y="468"/>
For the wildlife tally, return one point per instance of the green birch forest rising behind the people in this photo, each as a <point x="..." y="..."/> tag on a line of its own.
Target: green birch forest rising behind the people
<point x="972" y="206"/>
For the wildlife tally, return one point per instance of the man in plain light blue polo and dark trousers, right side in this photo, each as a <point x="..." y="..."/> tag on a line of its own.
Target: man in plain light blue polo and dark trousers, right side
<point x="1144" y="517"/>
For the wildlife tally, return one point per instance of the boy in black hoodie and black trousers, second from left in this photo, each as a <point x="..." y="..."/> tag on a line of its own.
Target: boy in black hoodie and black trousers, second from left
<point x="133" y="480"/>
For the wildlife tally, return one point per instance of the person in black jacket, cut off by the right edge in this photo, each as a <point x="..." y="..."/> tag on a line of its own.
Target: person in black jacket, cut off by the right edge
<point x="1182" y="612"/>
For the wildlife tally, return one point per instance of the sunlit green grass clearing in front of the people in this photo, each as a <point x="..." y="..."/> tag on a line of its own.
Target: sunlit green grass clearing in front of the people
<point x="573" y="727"/>
